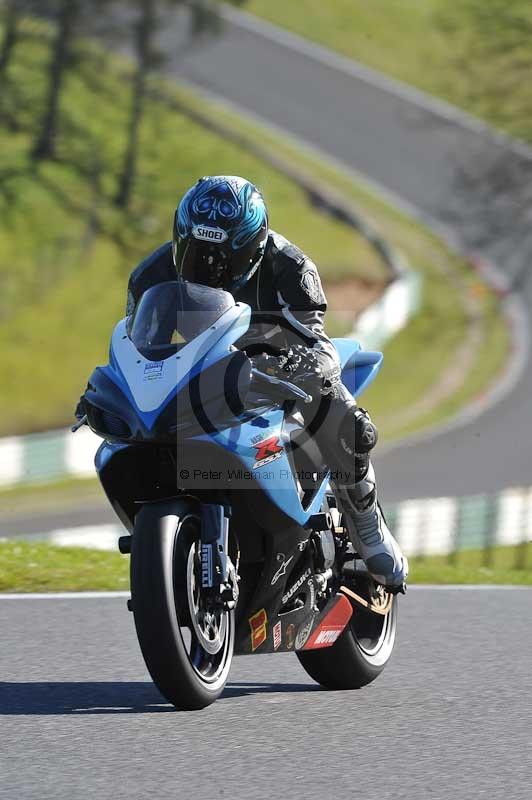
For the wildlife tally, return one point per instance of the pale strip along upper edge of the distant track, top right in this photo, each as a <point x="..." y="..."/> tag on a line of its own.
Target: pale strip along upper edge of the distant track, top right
<point x="393" y="86"/>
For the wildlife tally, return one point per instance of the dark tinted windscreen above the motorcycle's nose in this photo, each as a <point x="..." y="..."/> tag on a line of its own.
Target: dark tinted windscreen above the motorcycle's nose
<point x="173" y="313"/>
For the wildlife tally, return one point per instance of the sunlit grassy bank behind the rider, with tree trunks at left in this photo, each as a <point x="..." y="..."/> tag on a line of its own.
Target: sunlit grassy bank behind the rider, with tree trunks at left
<point x="66" y="251"/>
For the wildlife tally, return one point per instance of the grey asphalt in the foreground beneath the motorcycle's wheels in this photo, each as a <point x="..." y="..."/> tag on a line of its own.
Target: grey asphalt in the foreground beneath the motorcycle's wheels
<point x="449" y="718"/>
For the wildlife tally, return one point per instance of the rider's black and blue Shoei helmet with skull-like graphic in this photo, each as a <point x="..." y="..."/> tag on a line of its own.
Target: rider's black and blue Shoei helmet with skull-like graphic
<point x="220" y="232"/>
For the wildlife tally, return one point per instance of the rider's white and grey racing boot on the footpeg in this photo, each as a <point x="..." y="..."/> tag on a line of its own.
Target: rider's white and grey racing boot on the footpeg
<point x="369" y="532"/>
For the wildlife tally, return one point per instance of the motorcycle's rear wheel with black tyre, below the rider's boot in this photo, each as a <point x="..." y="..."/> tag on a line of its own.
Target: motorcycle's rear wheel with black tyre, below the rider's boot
<point x="360" y="653"/>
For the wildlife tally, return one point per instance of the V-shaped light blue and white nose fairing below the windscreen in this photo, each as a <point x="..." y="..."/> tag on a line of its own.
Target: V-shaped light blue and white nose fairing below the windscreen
<point x="150" y="385"/>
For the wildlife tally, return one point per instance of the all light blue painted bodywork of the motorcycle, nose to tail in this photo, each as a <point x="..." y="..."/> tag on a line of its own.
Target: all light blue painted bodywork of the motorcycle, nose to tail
<point x="262" y="449"/>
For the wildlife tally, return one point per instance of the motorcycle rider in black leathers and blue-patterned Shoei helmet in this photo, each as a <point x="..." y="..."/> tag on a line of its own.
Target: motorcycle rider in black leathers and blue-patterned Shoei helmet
<point x="221" y="239"/>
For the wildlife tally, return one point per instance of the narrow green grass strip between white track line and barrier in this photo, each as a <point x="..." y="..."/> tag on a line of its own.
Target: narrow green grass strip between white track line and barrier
<point x="40" y="567"/>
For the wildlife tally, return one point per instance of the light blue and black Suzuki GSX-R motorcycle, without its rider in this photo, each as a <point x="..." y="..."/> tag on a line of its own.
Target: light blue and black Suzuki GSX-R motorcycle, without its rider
<point x="236" y="543"/>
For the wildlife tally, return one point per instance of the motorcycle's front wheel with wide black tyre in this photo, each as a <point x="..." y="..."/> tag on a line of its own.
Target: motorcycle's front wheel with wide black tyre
<point x="187" y="645"/>
